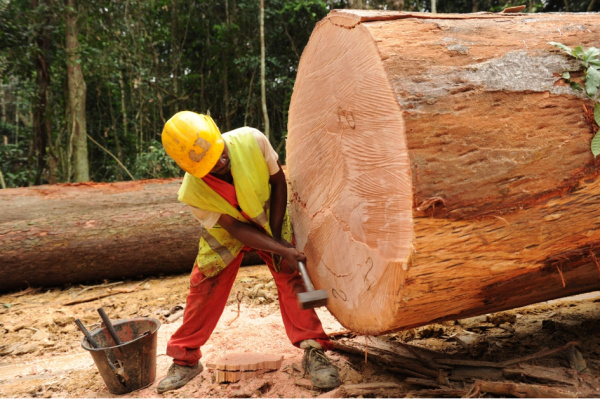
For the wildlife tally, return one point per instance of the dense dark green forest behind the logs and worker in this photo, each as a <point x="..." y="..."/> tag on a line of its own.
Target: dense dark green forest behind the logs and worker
<point x="87" y="85"/>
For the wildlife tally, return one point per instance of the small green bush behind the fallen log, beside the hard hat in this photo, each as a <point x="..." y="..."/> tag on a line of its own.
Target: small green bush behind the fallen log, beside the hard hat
<point x="155" y="164"/>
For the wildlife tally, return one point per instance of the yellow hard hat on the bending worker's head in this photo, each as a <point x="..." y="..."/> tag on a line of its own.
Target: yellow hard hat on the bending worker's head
<point x="193" y="141"/>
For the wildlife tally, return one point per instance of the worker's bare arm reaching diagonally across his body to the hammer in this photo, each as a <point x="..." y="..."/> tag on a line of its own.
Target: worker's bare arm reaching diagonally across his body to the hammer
<point x="253" y="237"/>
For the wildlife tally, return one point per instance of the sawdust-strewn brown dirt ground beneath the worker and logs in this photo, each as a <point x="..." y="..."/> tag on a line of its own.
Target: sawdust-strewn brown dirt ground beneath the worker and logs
<point x="41" y="353"/>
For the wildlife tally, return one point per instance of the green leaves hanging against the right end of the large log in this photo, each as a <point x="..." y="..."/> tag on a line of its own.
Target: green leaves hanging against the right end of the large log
<point x="590" y="62"/>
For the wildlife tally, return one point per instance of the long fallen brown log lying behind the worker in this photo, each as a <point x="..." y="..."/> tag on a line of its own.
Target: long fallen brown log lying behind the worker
<point x="73" y="233"/>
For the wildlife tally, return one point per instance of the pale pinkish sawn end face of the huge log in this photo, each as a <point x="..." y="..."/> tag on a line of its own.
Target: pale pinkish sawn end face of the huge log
<point x="352" y="134"/>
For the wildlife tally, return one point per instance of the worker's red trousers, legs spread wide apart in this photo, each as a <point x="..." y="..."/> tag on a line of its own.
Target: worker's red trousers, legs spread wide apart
<point x="207" y="299"/>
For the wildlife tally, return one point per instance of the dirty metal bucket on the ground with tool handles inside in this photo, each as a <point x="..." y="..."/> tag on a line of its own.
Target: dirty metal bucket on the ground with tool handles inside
<point x="131" y="365"/>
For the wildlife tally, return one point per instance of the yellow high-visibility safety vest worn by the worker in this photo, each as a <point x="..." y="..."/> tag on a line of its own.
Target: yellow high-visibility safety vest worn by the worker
<point x="217" y="248"/>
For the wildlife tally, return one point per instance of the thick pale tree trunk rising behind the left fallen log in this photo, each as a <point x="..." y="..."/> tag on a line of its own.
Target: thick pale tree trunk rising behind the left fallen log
<point x="77" y="89"/>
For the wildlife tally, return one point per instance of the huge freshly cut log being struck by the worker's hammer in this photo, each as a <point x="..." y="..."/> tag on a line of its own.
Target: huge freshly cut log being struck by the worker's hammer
<point x="439" y="168"/>
